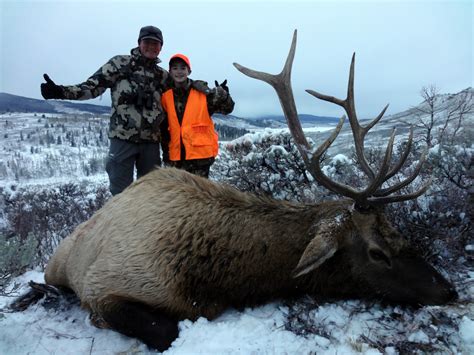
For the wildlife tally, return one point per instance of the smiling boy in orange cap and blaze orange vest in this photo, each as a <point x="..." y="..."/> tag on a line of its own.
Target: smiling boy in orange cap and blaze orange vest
<point x="188" y="134"/>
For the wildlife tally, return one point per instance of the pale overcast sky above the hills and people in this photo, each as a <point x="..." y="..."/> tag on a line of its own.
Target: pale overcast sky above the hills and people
<point x="400" y="46"/>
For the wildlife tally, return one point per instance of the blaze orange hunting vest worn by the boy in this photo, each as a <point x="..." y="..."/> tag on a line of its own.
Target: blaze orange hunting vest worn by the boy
<point x="196" y="131"/>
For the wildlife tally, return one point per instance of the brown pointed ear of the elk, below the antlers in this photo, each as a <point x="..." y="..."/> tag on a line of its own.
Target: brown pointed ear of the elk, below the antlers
<point x="321" y="248"/>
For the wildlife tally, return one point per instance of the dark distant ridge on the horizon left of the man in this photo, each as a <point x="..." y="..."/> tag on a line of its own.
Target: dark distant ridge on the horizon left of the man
<point x="14" y="103"/>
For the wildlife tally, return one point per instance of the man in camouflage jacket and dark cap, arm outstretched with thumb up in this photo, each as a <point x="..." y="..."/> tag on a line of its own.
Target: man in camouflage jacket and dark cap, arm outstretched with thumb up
<point x="136" y="83"/>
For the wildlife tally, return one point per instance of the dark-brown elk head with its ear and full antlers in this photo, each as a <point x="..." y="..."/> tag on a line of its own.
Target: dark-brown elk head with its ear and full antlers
<point x="363" y="254"/>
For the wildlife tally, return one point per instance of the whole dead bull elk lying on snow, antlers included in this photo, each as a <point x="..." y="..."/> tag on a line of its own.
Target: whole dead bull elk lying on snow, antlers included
<point x="175" y="246"/>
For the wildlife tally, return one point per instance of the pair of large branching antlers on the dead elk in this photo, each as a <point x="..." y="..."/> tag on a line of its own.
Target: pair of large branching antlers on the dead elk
<point x="373" y="193"/>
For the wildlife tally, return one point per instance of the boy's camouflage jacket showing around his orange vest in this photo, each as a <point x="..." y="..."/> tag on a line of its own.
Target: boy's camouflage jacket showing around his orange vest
<point x="218" y="101"/>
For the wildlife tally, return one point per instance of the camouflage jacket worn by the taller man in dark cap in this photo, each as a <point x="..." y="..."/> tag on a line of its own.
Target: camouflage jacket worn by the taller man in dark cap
<point x="136" y="84"/>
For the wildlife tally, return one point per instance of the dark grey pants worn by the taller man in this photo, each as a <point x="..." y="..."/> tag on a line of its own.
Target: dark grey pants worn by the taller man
<point x="124" y="157"/>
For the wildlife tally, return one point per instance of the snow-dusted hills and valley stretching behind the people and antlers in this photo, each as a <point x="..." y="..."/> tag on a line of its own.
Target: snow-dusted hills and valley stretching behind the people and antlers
<point x="73" y="141"/>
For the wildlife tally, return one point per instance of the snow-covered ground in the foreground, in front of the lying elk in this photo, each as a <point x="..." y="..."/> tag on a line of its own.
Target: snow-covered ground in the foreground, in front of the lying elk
<point x="349" y="327"/>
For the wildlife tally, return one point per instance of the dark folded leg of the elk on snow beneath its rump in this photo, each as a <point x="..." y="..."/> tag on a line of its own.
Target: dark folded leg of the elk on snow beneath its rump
<point x="134" y="319"/>
